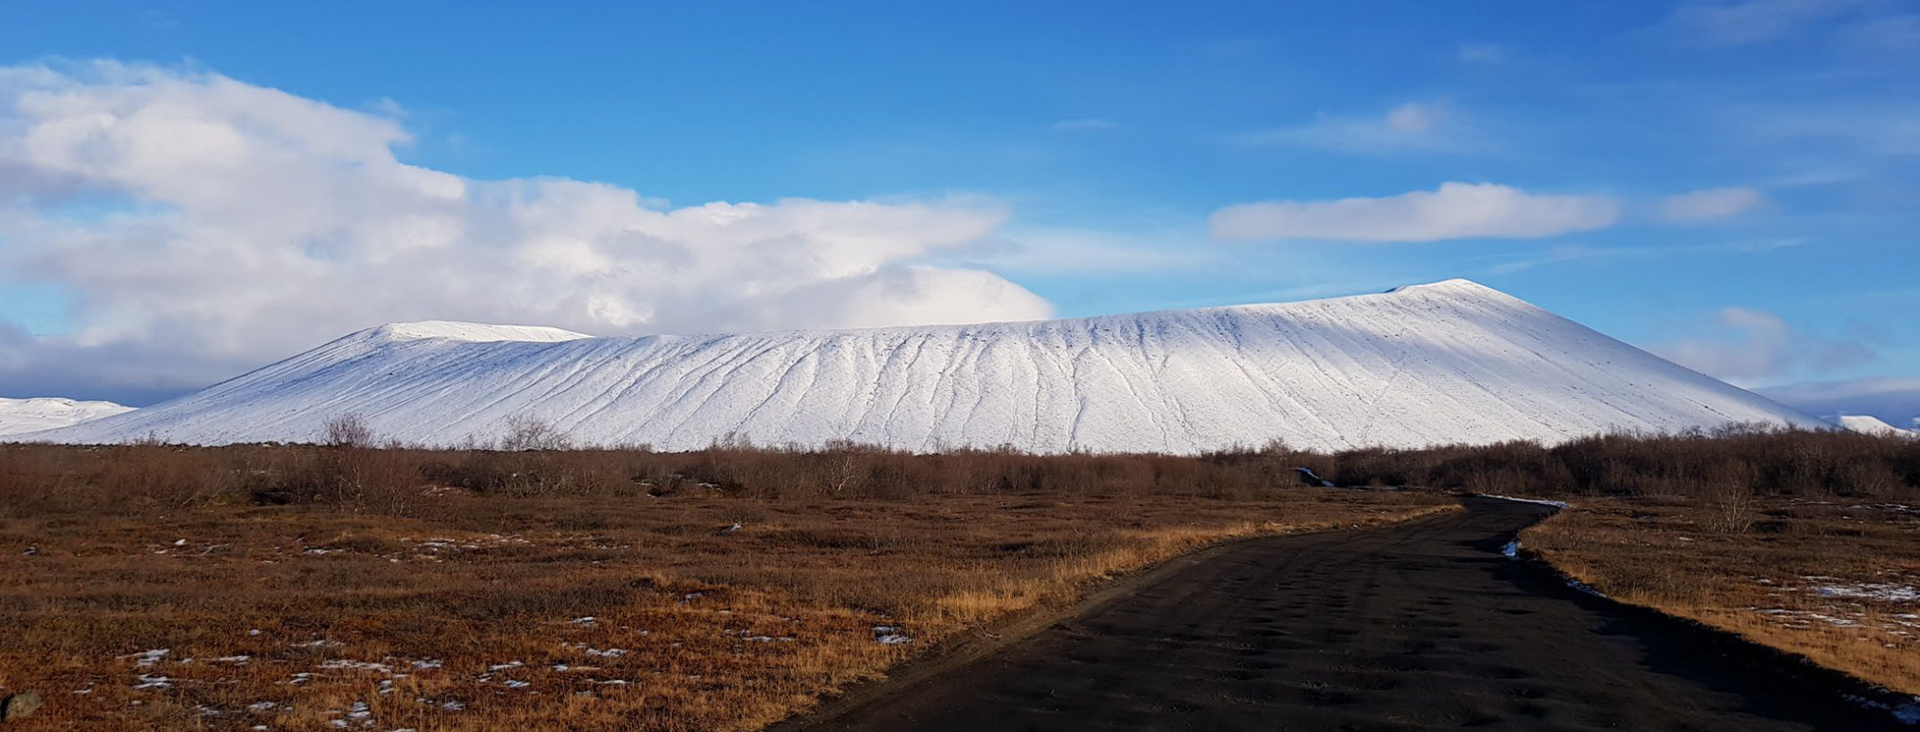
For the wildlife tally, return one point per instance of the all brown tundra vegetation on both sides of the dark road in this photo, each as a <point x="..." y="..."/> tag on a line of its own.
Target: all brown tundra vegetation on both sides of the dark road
<point x="377" y="587"/>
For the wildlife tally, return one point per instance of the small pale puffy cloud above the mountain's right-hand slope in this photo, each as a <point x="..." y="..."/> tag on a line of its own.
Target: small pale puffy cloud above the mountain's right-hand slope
<point x="1744" y="345"/>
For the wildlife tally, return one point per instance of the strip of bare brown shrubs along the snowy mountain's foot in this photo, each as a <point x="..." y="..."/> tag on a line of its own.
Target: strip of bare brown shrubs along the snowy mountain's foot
<point x="347" y="468"/>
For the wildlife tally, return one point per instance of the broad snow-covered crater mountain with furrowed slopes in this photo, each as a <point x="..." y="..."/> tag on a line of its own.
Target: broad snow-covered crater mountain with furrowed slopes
<point x="1431" y="364"/>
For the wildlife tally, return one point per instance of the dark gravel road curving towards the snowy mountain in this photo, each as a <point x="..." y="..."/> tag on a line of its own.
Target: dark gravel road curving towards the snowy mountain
<point x="1408" y="627"/>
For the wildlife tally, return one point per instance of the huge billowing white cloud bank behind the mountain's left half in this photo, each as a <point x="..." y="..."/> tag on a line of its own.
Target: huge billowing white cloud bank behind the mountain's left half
<point x="204" y="226"/>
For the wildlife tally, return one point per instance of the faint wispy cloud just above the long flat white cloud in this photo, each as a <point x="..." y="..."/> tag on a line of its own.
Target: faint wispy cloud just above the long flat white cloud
<point x="1414" y="126"/>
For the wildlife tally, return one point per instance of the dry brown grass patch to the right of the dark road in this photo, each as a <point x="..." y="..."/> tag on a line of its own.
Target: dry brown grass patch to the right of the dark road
<point x="1819" y="579"/>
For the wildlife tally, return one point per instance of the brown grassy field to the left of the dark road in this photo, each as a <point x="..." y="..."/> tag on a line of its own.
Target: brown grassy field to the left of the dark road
<point x="310" y="589"/>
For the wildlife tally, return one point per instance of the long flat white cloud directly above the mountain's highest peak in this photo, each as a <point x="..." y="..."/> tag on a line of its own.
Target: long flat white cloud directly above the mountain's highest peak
<point x="1456" y="210"/>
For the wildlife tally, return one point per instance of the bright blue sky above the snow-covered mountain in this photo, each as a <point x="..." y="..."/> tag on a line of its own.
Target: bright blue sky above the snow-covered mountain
<point x="1727" y="183"/>
